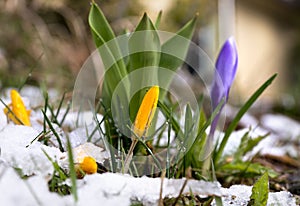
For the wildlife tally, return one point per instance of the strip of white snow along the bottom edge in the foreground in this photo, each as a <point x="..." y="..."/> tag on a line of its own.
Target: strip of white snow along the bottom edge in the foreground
<point x="118" y="189"/>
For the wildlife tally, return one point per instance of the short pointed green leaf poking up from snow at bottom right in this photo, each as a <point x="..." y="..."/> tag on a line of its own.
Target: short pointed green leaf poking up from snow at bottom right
<point x="260" y="191"/>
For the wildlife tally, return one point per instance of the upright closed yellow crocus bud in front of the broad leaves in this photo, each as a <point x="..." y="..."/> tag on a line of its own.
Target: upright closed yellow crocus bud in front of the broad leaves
<point x="146" y="112"/>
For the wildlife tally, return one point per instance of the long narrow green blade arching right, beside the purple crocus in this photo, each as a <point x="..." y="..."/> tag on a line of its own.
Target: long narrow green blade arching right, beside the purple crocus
<point x="239" y="115"/>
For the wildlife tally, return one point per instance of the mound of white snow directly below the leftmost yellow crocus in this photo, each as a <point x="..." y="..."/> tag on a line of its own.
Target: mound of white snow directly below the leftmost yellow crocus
<point x="18" y="152"/>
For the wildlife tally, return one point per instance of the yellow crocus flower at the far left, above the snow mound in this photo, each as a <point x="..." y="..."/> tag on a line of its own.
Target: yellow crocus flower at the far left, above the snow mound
<point x="20" y="114"/>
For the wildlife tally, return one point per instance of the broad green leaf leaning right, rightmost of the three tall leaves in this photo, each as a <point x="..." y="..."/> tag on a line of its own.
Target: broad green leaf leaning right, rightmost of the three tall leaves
<point x="174" y="51"/>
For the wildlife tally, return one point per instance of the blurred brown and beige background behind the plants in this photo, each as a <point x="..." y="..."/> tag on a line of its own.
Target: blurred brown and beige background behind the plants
<point x="46" y="42"/>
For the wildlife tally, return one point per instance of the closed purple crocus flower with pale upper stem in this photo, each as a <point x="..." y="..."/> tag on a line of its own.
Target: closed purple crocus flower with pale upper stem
<point x="226" y="66"/>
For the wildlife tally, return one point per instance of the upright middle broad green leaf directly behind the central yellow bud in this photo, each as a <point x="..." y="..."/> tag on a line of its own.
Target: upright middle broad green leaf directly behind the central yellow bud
<point x="144" y="49"/>
